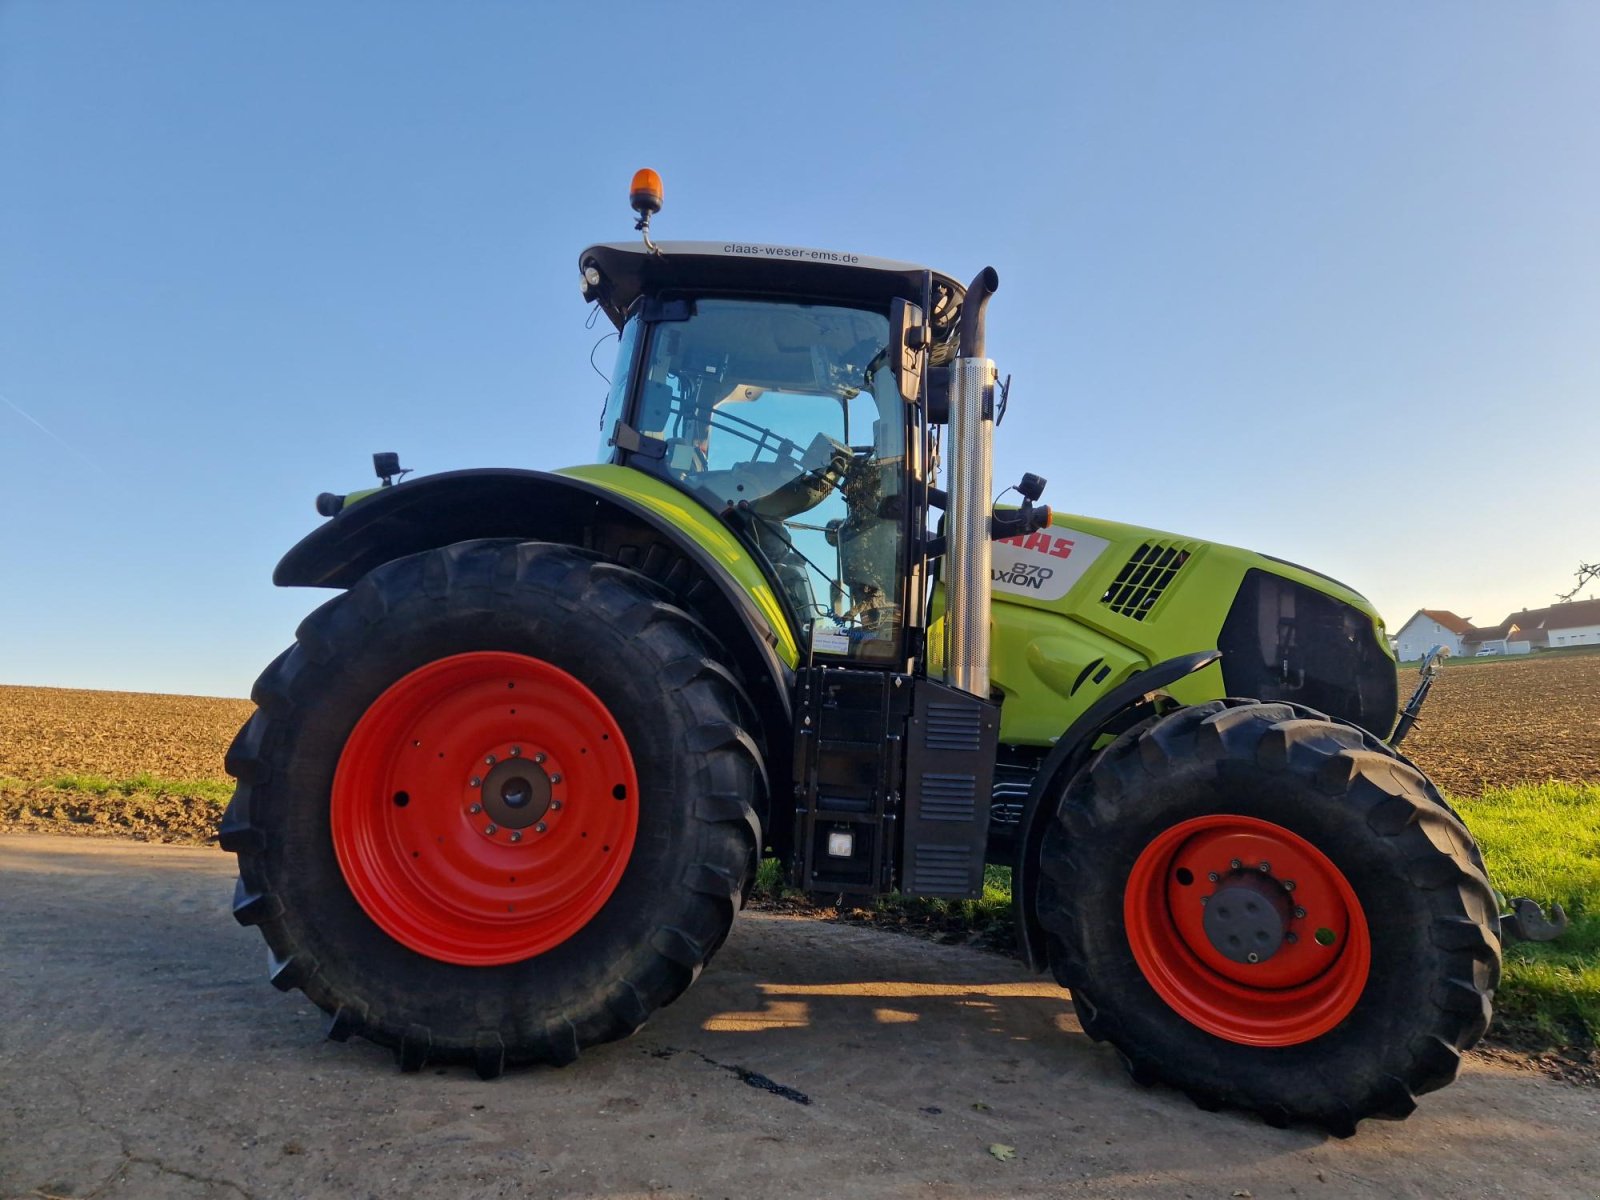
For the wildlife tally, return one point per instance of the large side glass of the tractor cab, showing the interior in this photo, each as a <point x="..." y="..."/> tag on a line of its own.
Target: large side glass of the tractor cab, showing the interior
<point x="788" y="420"/>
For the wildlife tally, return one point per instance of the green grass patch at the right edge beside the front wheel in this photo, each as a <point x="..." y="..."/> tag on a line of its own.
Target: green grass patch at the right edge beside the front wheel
<point x="1543" y="841"/>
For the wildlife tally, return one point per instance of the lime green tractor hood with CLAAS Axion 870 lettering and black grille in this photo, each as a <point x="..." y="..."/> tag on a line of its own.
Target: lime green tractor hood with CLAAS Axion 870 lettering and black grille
<point x="1086" y="604"/>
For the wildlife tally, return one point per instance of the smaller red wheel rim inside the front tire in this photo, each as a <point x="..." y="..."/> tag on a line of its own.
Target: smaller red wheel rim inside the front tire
<point x="1303" y="988"/>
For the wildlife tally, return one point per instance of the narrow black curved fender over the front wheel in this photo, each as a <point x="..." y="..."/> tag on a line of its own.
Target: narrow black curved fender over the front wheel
<point x="1119" y="710"/>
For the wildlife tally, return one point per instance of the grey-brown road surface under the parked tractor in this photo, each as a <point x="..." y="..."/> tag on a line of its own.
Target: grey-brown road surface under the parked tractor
<point x="145" y="1055"/>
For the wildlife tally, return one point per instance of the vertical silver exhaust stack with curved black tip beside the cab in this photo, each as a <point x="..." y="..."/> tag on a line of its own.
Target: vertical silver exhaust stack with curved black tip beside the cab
<point x="970" y="556"/>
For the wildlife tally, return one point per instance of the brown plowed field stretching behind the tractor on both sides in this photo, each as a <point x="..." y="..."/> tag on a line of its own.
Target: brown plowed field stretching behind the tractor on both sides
<point x="1486" y="726"/>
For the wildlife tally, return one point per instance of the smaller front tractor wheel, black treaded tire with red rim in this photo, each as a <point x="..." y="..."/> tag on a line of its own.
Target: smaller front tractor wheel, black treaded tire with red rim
<point x="1310" y="1033"/>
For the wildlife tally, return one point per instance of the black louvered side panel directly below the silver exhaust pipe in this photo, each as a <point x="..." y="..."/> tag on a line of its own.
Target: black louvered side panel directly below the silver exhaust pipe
<point x="950" y="777"/>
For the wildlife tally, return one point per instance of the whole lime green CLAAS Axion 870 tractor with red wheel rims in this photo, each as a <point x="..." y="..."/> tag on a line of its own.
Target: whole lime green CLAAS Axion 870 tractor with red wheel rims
<point x="505" y="794"/>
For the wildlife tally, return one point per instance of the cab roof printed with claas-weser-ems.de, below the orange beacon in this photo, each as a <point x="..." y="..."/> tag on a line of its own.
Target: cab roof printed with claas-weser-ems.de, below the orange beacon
<point x="630" y="271"/>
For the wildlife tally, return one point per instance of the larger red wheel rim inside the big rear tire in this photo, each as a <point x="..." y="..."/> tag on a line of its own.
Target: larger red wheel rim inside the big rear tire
<point x="484" y="809"/>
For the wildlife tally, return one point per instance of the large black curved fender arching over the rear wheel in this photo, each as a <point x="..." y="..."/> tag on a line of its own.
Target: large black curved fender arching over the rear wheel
<point x="455" y="506"/>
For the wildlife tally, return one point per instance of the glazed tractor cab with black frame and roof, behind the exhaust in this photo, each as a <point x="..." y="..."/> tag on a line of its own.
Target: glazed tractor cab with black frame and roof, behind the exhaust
<point x="780" y="388"/>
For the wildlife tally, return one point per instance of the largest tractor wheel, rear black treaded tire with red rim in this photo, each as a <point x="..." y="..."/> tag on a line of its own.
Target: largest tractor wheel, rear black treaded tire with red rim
<point x="369" y="870"/>
